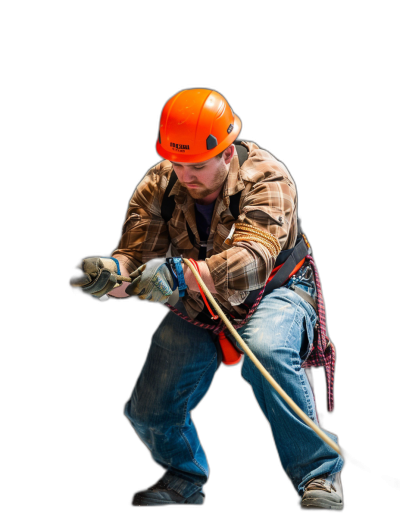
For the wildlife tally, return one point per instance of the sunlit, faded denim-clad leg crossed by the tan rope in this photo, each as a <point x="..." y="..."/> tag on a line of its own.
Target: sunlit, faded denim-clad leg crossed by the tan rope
<point x="279" y="335"/>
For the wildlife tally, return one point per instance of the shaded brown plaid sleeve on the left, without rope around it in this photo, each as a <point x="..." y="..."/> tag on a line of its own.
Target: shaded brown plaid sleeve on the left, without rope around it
<point x="144" y="232"/>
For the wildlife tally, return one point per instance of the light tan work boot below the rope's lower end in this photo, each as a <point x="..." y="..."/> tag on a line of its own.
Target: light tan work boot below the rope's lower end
<point x="323" y="494"/>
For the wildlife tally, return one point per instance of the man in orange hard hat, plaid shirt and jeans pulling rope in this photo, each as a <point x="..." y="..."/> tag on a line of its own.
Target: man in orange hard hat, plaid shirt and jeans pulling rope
<point x="184" y="207"/>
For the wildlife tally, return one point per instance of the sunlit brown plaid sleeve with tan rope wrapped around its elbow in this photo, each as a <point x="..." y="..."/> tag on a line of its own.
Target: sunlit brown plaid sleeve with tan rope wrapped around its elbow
<point x="270" y="205"/>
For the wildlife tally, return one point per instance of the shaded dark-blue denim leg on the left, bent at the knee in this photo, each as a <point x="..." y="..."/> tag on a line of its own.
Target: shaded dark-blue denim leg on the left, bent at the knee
<point x="176" y="375"/>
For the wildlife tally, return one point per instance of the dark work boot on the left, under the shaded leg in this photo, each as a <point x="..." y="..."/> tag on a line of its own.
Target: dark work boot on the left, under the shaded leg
<point x="159" y="495"/>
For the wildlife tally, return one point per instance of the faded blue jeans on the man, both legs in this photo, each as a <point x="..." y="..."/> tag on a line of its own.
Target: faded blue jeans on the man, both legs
<point x="179" y="369"/>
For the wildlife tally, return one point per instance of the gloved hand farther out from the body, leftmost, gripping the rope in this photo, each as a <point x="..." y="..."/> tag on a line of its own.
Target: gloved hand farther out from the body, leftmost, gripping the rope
<point x="96" y="276"/>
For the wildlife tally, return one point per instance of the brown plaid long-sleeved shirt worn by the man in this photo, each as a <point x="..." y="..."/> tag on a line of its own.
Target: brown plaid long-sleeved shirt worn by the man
<point x="268" y="201"/>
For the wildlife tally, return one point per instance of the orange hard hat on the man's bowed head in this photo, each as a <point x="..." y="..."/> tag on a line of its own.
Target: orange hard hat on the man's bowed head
<point x="196" y="125"/>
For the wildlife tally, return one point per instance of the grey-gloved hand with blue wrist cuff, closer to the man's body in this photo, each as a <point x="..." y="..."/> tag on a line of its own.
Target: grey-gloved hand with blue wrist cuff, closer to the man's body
<point x="153" y="282"/>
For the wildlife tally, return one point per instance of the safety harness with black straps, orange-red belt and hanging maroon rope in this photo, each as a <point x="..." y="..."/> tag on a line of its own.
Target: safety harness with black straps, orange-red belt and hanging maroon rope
<point x="288" y="262"/>
